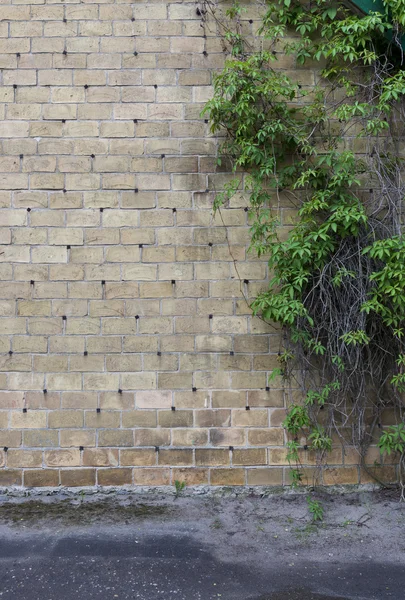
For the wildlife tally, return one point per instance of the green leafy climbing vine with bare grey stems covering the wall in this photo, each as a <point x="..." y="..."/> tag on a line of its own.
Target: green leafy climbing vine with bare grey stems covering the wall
<point x="325" y="139"/>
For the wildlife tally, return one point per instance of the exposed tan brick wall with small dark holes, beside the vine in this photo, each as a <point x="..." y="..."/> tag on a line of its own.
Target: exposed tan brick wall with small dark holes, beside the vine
<point x="128" y="352"/>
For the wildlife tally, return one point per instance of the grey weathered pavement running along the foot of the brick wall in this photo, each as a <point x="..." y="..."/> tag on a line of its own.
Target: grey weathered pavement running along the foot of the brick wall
<point x="201" y="547"/>
